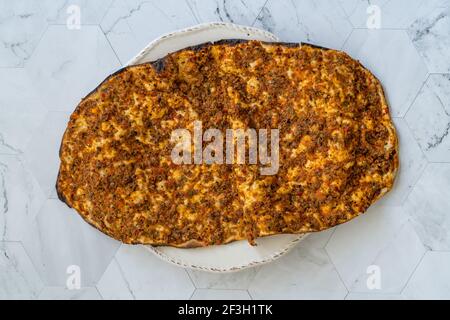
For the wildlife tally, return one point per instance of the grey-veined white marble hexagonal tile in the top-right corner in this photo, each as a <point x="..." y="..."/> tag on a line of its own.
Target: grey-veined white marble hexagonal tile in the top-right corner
<point x="430" y="33"/>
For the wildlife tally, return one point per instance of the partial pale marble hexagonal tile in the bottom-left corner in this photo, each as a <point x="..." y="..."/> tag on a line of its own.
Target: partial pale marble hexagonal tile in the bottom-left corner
<point x="18" y="278"/>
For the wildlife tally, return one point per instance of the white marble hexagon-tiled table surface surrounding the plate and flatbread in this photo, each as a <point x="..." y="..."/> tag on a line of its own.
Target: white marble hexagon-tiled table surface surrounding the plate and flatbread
<point x="399" y="249"/>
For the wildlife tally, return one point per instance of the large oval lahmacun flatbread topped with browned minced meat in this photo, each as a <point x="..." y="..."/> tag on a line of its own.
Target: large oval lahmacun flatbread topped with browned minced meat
<point x="337" y="145"/>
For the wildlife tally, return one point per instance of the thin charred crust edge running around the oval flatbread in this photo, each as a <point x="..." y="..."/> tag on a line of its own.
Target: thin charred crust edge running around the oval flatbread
<point x="158" y="65"/>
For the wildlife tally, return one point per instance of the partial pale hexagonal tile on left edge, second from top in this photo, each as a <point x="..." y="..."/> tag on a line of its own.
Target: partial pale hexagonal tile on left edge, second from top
<point x="19" y="103"/>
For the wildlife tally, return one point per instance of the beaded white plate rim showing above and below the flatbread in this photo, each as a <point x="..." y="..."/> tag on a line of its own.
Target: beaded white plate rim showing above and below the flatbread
<point x="154" y="249"/>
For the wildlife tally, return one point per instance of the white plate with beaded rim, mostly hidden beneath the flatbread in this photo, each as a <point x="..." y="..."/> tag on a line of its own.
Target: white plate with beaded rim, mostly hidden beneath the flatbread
<point x="239" y="254"/>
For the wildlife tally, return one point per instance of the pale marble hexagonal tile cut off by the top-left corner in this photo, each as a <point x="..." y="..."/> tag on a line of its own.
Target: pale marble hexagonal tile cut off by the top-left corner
<point x="22" y="24"/>
